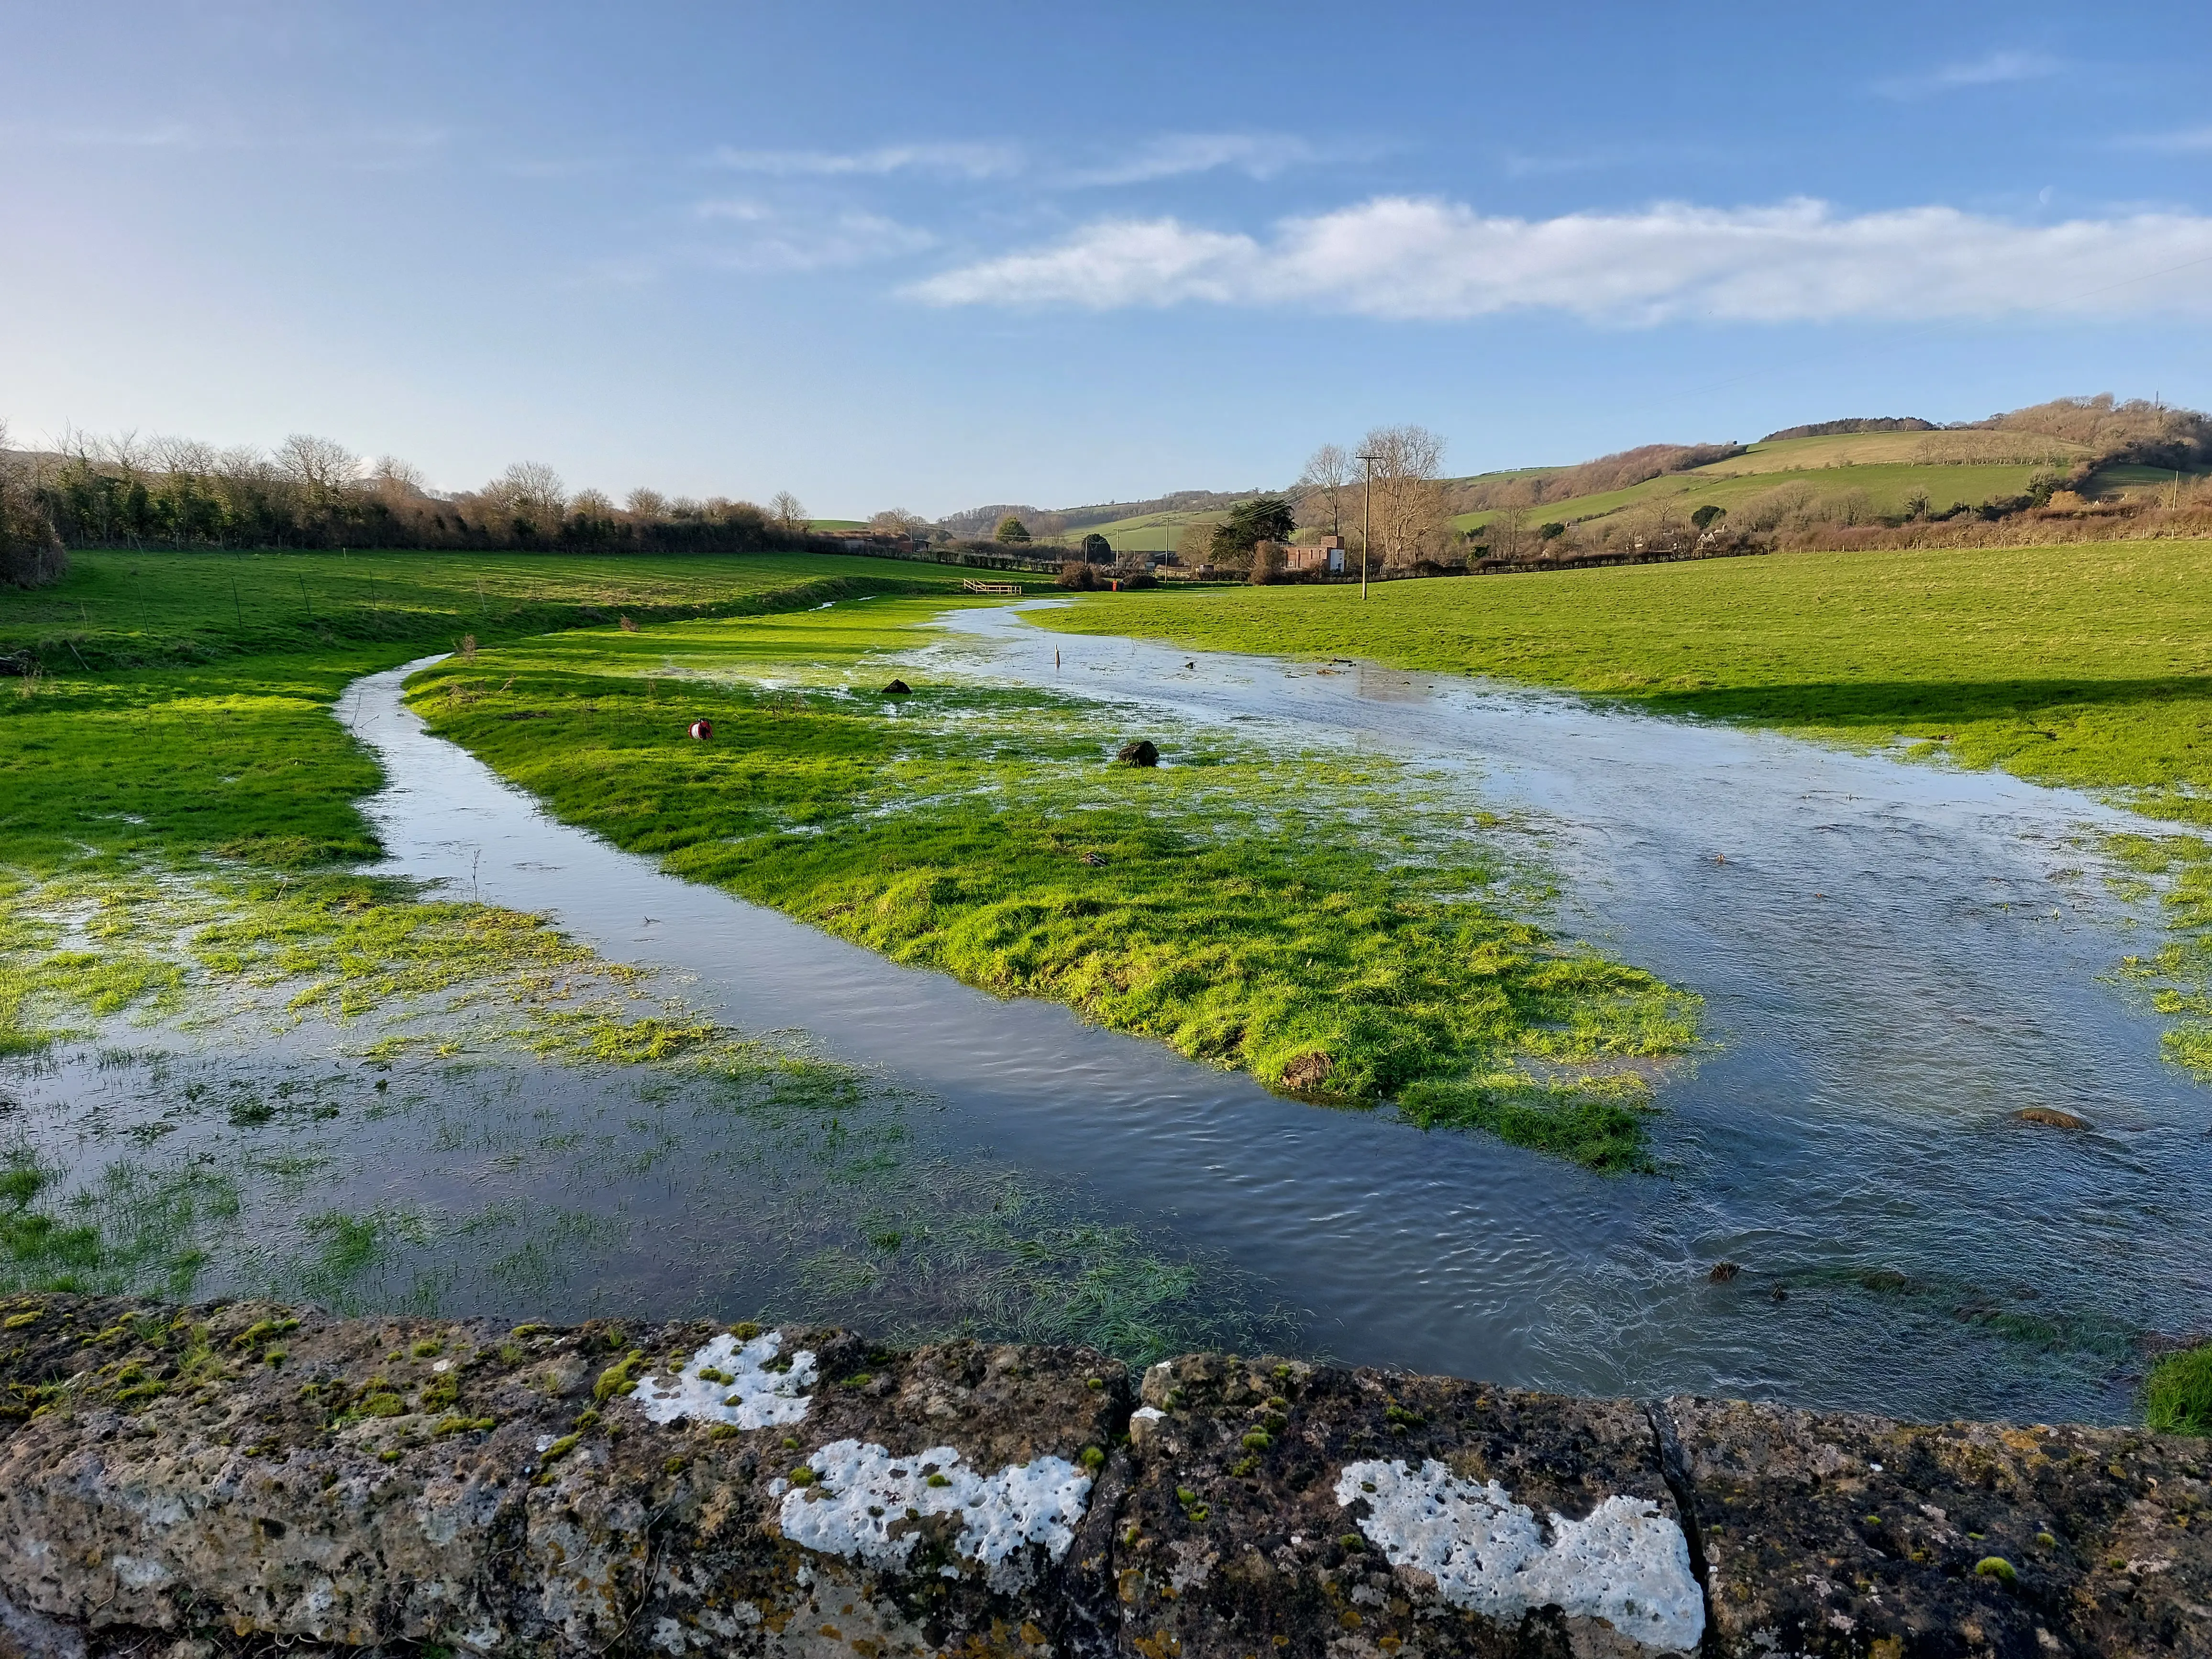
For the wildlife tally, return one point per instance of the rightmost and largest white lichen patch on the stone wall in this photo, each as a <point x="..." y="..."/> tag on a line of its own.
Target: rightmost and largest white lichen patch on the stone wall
<point x="1627" y="1565"/>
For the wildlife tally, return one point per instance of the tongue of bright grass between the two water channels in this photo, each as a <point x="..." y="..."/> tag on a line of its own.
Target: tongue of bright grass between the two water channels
<point x="1297" y="917"/>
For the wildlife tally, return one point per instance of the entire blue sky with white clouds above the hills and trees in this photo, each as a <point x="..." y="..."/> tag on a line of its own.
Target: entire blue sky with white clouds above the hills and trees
<point x="1056" y="253"/>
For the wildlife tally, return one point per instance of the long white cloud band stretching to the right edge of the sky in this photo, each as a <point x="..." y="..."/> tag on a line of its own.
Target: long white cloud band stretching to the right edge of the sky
<point x="1793" y="262"/>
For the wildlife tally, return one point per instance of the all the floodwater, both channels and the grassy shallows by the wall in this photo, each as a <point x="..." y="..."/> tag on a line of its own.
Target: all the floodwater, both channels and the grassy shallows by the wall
<point x="1895" y="961"/>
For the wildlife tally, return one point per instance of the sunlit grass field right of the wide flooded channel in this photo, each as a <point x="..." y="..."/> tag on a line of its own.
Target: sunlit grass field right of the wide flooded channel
<point x="2083" y="667"/>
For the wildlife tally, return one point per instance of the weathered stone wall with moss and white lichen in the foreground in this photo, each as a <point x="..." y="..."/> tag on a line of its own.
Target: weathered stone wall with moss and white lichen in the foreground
<point x="251" y="1479"/>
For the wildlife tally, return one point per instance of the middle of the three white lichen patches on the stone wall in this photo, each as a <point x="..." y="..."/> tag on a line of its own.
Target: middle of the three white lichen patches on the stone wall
<point x="866" y="1503"/>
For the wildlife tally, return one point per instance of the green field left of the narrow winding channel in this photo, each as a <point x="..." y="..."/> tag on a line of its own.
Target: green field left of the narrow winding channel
<point x="202" y="747"/>
